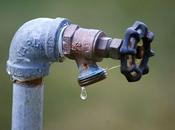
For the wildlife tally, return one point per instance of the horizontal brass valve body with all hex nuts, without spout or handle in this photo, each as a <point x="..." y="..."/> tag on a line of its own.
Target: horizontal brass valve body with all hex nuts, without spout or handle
<point x="90" y="44"/>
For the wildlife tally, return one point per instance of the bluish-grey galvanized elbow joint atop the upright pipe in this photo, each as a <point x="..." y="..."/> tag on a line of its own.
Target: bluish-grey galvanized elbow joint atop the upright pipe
<point x="36" y="45"/>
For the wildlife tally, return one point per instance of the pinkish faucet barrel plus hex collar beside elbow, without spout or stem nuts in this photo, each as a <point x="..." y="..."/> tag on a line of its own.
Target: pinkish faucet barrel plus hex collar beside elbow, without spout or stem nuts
<point x="80" y="42"/>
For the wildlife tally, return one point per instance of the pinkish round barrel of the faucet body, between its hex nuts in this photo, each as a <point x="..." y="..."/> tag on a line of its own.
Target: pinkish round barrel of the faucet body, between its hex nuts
<point x="84" y="41"/>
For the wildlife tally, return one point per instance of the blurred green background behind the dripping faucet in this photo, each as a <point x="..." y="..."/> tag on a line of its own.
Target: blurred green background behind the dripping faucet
<point x="113" y="104"/>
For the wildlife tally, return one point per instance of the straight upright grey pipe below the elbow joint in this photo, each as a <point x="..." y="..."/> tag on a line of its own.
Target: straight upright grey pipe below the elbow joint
<point x="27" y="111"/>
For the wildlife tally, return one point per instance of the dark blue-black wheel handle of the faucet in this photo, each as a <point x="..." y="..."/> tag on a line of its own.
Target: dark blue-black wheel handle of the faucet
<point x="131" y="50"/>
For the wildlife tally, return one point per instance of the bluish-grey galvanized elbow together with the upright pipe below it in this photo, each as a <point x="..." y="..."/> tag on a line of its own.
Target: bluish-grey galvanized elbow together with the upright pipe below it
<point x="35" y="46"/>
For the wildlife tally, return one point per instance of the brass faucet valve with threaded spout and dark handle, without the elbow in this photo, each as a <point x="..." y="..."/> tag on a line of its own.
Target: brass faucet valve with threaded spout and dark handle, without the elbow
<point x="88" y="46"/>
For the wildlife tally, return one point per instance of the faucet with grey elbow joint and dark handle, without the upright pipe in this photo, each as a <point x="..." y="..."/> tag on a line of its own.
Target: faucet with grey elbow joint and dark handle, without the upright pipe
<point x="42" y="41"/>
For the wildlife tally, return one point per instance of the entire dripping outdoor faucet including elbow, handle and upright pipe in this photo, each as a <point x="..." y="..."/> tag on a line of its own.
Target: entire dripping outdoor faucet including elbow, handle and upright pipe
<point x="40" y="42"/>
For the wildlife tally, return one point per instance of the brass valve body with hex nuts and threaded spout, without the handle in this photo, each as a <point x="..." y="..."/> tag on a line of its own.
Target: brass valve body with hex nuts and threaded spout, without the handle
<point x="86" y="47"/>
